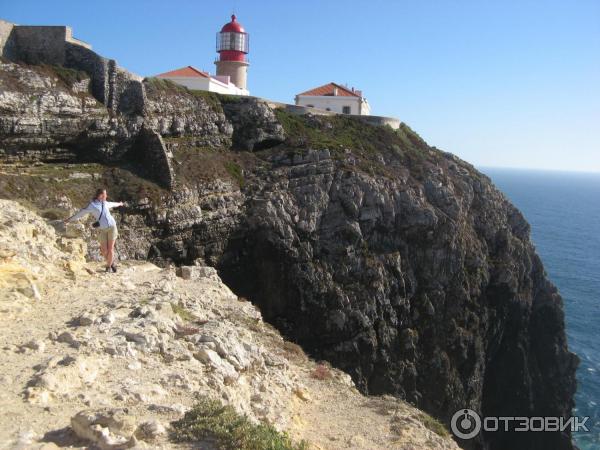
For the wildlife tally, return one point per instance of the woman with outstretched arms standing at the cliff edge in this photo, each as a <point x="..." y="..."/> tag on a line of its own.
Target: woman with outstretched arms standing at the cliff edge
<point x="105" y="223"/>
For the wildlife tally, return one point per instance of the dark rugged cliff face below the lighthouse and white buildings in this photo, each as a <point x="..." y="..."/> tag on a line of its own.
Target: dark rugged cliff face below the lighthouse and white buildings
<point x="396" y="262"/>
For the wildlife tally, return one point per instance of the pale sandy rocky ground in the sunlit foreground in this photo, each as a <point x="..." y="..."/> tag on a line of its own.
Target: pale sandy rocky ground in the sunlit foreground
<point x="95" y="358"/>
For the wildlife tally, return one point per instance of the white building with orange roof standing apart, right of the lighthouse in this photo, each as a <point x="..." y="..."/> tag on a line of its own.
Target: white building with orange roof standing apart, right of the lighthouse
<point x="336" y="98"/>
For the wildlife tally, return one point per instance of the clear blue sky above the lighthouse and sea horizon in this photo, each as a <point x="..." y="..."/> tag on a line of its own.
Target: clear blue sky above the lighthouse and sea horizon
<point x="504" y="83"/>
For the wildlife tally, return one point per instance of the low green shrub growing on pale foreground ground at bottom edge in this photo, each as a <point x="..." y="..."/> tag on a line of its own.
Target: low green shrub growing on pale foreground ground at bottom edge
<point x="209" y="419"/>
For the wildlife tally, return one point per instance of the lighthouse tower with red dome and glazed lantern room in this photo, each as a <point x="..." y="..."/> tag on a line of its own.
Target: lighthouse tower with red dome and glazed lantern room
<point x="232" y="46"/>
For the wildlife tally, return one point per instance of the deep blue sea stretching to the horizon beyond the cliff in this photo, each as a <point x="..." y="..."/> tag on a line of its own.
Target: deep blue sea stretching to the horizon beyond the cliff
<point x="563" y="209"/>
